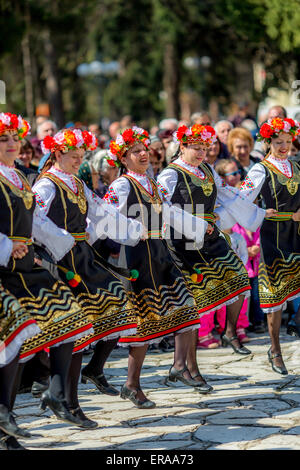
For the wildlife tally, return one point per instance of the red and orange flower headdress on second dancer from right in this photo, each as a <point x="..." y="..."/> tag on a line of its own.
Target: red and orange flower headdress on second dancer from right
<point x="195" y="134"/>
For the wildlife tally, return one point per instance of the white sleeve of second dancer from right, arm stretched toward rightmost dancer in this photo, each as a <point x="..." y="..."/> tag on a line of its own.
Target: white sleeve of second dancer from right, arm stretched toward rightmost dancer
<point x="239" y="207"/>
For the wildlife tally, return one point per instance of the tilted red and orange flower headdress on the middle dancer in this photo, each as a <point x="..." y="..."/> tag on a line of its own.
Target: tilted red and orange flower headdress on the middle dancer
<point x="124" y="142"/>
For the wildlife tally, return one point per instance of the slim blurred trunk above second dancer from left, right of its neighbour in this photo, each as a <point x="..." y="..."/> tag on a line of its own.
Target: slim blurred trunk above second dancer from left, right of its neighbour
<point x="53" y="85"/>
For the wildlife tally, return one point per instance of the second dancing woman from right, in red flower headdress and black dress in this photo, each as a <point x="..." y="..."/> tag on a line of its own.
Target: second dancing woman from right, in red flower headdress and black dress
<point x="215" y="274"/>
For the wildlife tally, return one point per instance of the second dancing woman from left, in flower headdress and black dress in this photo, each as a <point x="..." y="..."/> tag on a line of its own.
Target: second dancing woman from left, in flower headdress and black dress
<point x="74" y="208"/>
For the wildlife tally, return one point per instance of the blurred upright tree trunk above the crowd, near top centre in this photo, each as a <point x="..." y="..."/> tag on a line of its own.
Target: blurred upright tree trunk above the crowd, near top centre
<point x="171" y="81"/>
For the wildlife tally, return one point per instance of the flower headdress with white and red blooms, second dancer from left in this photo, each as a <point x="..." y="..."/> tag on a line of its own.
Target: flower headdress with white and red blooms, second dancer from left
<point x="69" y="140"/>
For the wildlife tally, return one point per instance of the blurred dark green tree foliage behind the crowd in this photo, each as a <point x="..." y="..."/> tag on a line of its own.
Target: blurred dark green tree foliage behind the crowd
<point x="150" y="39"/>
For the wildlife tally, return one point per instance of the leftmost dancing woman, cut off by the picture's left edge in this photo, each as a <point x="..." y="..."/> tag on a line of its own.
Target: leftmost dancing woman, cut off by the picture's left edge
<point x="48" y="302"/>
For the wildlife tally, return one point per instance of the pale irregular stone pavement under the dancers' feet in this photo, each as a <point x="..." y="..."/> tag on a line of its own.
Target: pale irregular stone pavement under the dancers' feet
<point x="251" y="407"/>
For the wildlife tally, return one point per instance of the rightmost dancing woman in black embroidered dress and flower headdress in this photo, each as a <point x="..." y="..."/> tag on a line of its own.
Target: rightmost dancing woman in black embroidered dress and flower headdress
<point x="277" y="181"/>
